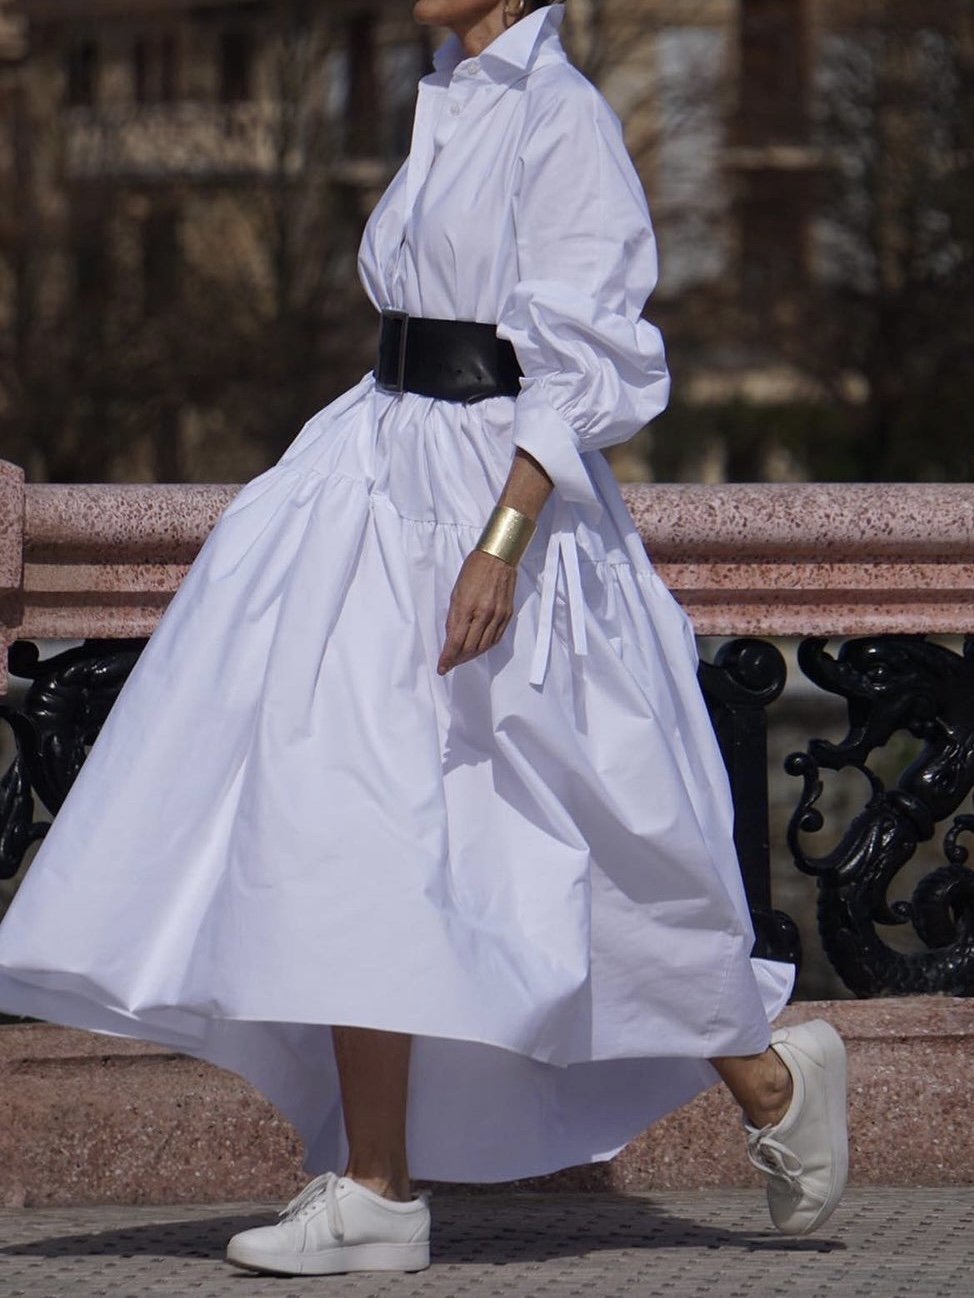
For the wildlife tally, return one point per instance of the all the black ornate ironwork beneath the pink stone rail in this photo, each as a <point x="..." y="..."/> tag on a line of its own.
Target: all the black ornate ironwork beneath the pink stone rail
<point x="892" y="686"/>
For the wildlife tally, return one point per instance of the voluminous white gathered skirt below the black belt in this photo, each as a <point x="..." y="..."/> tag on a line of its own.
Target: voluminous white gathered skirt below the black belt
<point x="292" y="821"/>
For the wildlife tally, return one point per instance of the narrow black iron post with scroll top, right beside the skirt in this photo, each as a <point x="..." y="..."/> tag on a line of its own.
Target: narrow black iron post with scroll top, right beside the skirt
<point x="746" y="677"/>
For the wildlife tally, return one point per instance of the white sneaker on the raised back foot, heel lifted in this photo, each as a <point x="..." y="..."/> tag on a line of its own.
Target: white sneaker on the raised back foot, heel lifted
<point x="806" y="1156"/>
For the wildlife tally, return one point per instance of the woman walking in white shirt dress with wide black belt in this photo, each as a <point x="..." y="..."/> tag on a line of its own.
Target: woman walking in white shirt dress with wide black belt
<point x="472" y="821"/>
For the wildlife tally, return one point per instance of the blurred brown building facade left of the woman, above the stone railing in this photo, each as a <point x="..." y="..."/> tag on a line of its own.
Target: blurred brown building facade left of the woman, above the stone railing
<point x="208" y="165"/>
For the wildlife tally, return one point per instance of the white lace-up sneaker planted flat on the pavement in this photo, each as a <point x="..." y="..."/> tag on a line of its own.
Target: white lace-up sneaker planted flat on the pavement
<point x="334" y="1226"/>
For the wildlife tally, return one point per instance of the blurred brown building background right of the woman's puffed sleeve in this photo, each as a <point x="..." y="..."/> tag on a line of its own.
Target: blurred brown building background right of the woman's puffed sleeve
<point x="807" y="164"/>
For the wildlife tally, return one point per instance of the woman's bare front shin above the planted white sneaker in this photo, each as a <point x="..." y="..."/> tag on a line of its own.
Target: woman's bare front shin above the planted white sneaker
<point x="373" y="1070"/>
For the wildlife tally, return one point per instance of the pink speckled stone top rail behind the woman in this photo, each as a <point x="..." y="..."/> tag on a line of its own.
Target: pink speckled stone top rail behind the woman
<point x="105" y="560"/>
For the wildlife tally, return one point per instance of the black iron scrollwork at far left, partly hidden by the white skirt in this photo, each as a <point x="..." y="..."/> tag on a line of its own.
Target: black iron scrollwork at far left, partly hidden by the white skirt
<point x="67" y="704"/>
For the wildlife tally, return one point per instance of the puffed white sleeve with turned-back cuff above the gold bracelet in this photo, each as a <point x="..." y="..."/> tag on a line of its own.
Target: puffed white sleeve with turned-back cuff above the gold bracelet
<point x="594" y="371"/>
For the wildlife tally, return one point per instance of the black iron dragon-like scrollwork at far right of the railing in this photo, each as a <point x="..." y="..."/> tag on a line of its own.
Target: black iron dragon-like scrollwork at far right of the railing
<point x="894" y="685"/>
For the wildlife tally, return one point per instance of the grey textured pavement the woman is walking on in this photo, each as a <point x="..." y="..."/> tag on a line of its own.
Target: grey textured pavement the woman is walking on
<point x="881" y="1244"/>
